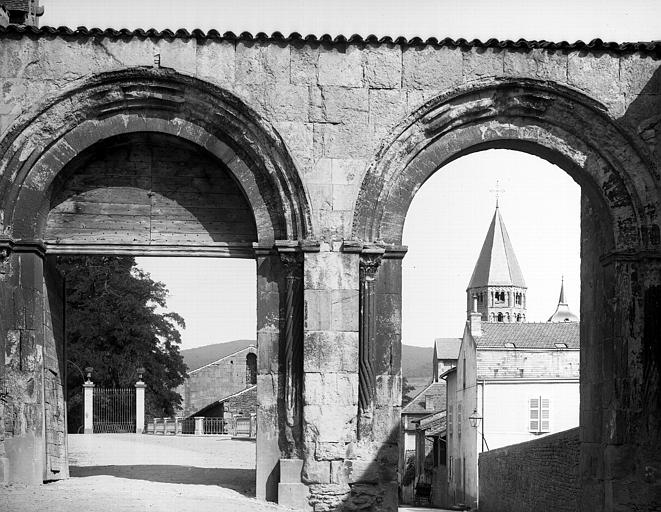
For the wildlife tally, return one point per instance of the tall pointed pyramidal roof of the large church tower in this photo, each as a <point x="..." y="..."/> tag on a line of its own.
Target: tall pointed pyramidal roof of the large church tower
<point x="497" y="264"/>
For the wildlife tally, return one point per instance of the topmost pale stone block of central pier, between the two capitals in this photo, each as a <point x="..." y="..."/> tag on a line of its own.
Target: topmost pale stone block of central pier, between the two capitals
<point x="331" y="271"/>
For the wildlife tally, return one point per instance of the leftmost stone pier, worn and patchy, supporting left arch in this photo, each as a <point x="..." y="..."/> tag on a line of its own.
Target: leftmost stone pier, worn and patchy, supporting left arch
<point x="22" y="330"/>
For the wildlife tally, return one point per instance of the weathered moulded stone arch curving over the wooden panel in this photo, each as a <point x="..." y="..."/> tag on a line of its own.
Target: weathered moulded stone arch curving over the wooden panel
<point x="151" y="100"/>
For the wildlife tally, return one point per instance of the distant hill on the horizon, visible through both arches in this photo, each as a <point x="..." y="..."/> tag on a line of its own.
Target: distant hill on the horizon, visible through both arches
<point x="416" y="361"/>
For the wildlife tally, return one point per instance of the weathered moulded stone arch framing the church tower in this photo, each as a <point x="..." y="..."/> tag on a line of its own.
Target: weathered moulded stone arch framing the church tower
<point x="551" y="121"/>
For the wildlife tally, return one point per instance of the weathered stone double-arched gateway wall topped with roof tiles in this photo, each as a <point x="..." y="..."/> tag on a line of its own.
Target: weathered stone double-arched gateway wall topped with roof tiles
<point x="305" y="154"/>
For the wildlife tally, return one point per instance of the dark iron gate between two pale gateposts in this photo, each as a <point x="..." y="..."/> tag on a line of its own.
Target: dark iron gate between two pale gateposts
<point x="114" y="410"/>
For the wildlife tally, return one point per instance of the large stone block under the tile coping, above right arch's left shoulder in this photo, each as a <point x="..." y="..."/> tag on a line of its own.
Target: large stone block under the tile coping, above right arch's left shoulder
<point x="431" y="67"/>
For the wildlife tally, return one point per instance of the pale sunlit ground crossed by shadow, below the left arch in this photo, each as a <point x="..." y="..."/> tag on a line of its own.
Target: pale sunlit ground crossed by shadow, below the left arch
<point x="136" y="473"/>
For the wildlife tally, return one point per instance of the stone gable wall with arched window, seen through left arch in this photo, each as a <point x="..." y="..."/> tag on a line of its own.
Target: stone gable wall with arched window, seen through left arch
<point x="215" y="381"/>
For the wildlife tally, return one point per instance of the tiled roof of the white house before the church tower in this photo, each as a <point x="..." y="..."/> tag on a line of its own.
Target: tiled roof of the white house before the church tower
<point x="529" y="335"/>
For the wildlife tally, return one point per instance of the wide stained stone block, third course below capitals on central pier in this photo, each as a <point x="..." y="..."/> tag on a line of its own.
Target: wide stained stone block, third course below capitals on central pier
<point x="330" y="351"/>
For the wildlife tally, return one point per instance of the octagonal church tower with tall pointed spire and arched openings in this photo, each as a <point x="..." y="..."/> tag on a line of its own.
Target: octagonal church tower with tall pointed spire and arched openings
<point x="497" y="290"/>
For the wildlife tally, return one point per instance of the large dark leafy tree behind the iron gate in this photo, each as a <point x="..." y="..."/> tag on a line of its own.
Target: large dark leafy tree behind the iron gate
<point x="114" y="324"/>
